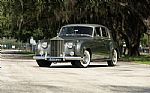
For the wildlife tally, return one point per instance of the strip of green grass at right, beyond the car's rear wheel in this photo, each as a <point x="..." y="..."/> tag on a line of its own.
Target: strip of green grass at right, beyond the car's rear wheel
<point x="142" y="59"/>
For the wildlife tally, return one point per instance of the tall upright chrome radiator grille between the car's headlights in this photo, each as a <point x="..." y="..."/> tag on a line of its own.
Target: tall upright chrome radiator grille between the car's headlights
<point x="57" y="46"/>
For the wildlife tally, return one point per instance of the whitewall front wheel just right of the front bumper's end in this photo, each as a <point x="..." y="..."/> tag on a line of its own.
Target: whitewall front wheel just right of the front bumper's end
<point x="85" y="62"/>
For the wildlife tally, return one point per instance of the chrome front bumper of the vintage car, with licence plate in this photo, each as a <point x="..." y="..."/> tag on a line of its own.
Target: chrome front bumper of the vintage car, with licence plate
<point x="57" y="59"/>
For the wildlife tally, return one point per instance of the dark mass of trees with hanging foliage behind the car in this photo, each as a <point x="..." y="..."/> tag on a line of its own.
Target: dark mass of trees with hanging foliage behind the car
<point x="21" y="19"/>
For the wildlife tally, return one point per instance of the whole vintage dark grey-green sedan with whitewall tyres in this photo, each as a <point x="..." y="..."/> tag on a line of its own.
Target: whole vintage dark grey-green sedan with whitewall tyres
<point x="79" y="44"/>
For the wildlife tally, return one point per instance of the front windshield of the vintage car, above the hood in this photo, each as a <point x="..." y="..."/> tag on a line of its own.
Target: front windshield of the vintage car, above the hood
<point x="76" y="30"/>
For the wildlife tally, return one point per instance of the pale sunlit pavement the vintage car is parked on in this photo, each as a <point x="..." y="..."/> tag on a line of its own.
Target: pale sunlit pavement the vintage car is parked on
<point x="24" y="76"/>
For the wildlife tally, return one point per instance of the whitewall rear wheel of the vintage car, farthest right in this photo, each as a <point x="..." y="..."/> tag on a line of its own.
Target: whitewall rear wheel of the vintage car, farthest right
<point x="114" y="58"/>
